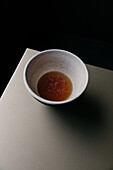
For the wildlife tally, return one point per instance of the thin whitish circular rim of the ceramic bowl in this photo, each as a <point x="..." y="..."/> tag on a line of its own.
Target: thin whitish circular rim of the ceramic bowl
<point x="49" y="102"/>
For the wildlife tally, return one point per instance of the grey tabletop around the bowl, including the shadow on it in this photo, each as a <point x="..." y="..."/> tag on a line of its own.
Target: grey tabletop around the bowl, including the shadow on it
<point x="77" y="136"/>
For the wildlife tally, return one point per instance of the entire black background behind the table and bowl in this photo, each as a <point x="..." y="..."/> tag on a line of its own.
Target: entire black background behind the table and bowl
<point x="82" y="27"/>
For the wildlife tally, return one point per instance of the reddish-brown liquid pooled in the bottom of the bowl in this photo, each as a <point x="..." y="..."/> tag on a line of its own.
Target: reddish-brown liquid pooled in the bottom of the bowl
<point x="54" y="86"/>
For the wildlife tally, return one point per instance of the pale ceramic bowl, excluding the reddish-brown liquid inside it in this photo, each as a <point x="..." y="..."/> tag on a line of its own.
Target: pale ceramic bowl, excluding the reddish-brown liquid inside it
<point x="56" y="60"/>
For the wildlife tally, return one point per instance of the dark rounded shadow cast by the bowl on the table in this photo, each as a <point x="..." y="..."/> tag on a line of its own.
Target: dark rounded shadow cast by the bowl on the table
<point x="84" y="114"/>
